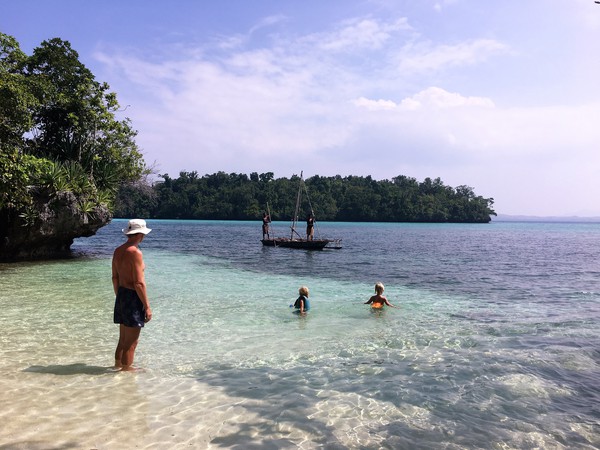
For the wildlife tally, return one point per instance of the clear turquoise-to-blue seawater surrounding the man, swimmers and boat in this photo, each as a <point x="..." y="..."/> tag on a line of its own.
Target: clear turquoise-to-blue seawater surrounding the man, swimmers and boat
<point x="495" y="344"/>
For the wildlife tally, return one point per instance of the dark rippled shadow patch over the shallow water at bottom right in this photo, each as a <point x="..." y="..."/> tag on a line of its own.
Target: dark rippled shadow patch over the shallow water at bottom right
<point x="382" y="402"/>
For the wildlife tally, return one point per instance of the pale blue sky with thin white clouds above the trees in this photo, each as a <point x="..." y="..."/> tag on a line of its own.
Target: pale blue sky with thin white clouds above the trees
<point x="502" y="96"/>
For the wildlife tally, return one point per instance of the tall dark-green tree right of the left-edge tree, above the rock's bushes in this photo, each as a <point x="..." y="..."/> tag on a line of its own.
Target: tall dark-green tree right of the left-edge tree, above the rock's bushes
<point x="75" y="120"/>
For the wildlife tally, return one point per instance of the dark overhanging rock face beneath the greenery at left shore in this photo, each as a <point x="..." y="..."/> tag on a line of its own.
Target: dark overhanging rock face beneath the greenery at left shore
<point x="58" y="220"/>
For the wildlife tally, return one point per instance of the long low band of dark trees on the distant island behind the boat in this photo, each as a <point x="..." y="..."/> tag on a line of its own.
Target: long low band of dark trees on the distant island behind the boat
<point x="222" y="196"/>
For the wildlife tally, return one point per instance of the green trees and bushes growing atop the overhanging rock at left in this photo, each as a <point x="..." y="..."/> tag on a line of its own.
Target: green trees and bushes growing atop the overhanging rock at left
<point x="58" y="131"/>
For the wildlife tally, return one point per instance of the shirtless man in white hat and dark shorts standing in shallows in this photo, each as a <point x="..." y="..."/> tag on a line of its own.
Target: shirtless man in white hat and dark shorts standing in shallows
<point x="132" y="309"/>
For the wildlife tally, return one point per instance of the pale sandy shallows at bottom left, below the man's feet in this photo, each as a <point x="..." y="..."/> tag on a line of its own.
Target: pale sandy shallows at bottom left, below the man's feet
<point x="106" y="411"/>
